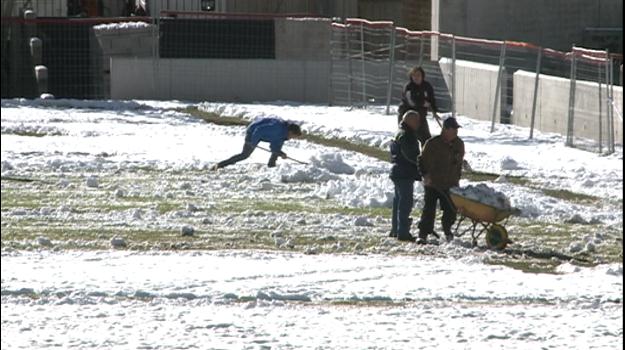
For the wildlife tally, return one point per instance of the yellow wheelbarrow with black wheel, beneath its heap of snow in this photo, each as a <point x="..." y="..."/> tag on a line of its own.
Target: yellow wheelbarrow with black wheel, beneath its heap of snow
<point x="482" y="218"/>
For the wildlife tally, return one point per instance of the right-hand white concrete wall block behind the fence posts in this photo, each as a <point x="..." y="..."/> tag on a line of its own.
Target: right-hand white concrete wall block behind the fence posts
<point x="552" y="107"/>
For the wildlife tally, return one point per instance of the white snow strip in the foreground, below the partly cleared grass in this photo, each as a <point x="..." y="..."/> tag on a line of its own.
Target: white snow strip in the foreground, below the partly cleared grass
<point x="250" y="300"/>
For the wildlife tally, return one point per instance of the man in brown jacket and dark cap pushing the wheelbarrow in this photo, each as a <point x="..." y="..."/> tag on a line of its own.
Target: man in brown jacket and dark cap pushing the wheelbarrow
<point x="440" y="164"/>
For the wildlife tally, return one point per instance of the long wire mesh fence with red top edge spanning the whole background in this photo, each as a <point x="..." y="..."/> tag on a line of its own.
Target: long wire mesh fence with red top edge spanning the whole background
<point x="354" y="62"/>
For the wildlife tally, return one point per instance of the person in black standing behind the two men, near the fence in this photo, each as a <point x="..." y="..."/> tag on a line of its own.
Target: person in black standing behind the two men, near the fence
<point x="418" y="96"/>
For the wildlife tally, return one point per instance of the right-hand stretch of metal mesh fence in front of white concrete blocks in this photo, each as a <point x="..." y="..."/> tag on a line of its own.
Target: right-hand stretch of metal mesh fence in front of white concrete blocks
<point x="499" y="81"/>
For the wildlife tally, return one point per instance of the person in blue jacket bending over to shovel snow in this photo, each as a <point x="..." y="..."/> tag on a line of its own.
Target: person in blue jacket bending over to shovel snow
<point x="272" y="130"/>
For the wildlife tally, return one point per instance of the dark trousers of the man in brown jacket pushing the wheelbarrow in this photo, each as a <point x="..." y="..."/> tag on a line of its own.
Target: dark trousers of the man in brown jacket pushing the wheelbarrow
<point x="432" y="197"/>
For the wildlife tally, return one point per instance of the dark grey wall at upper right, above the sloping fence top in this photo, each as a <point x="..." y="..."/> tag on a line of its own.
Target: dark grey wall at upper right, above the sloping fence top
<point x="555" y="23"/>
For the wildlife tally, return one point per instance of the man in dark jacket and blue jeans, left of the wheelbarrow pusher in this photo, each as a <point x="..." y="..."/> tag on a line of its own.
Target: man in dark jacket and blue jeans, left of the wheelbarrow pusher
<point x="404" y="172"/>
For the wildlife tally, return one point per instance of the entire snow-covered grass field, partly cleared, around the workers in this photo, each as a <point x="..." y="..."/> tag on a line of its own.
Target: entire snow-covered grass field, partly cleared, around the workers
<point x="302" y="257"/>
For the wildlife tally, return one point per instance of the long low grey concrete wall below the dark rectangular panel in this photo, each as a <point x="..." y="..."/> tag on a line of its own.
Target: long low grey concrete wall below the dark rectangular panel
<point x="228" y="80"/>
